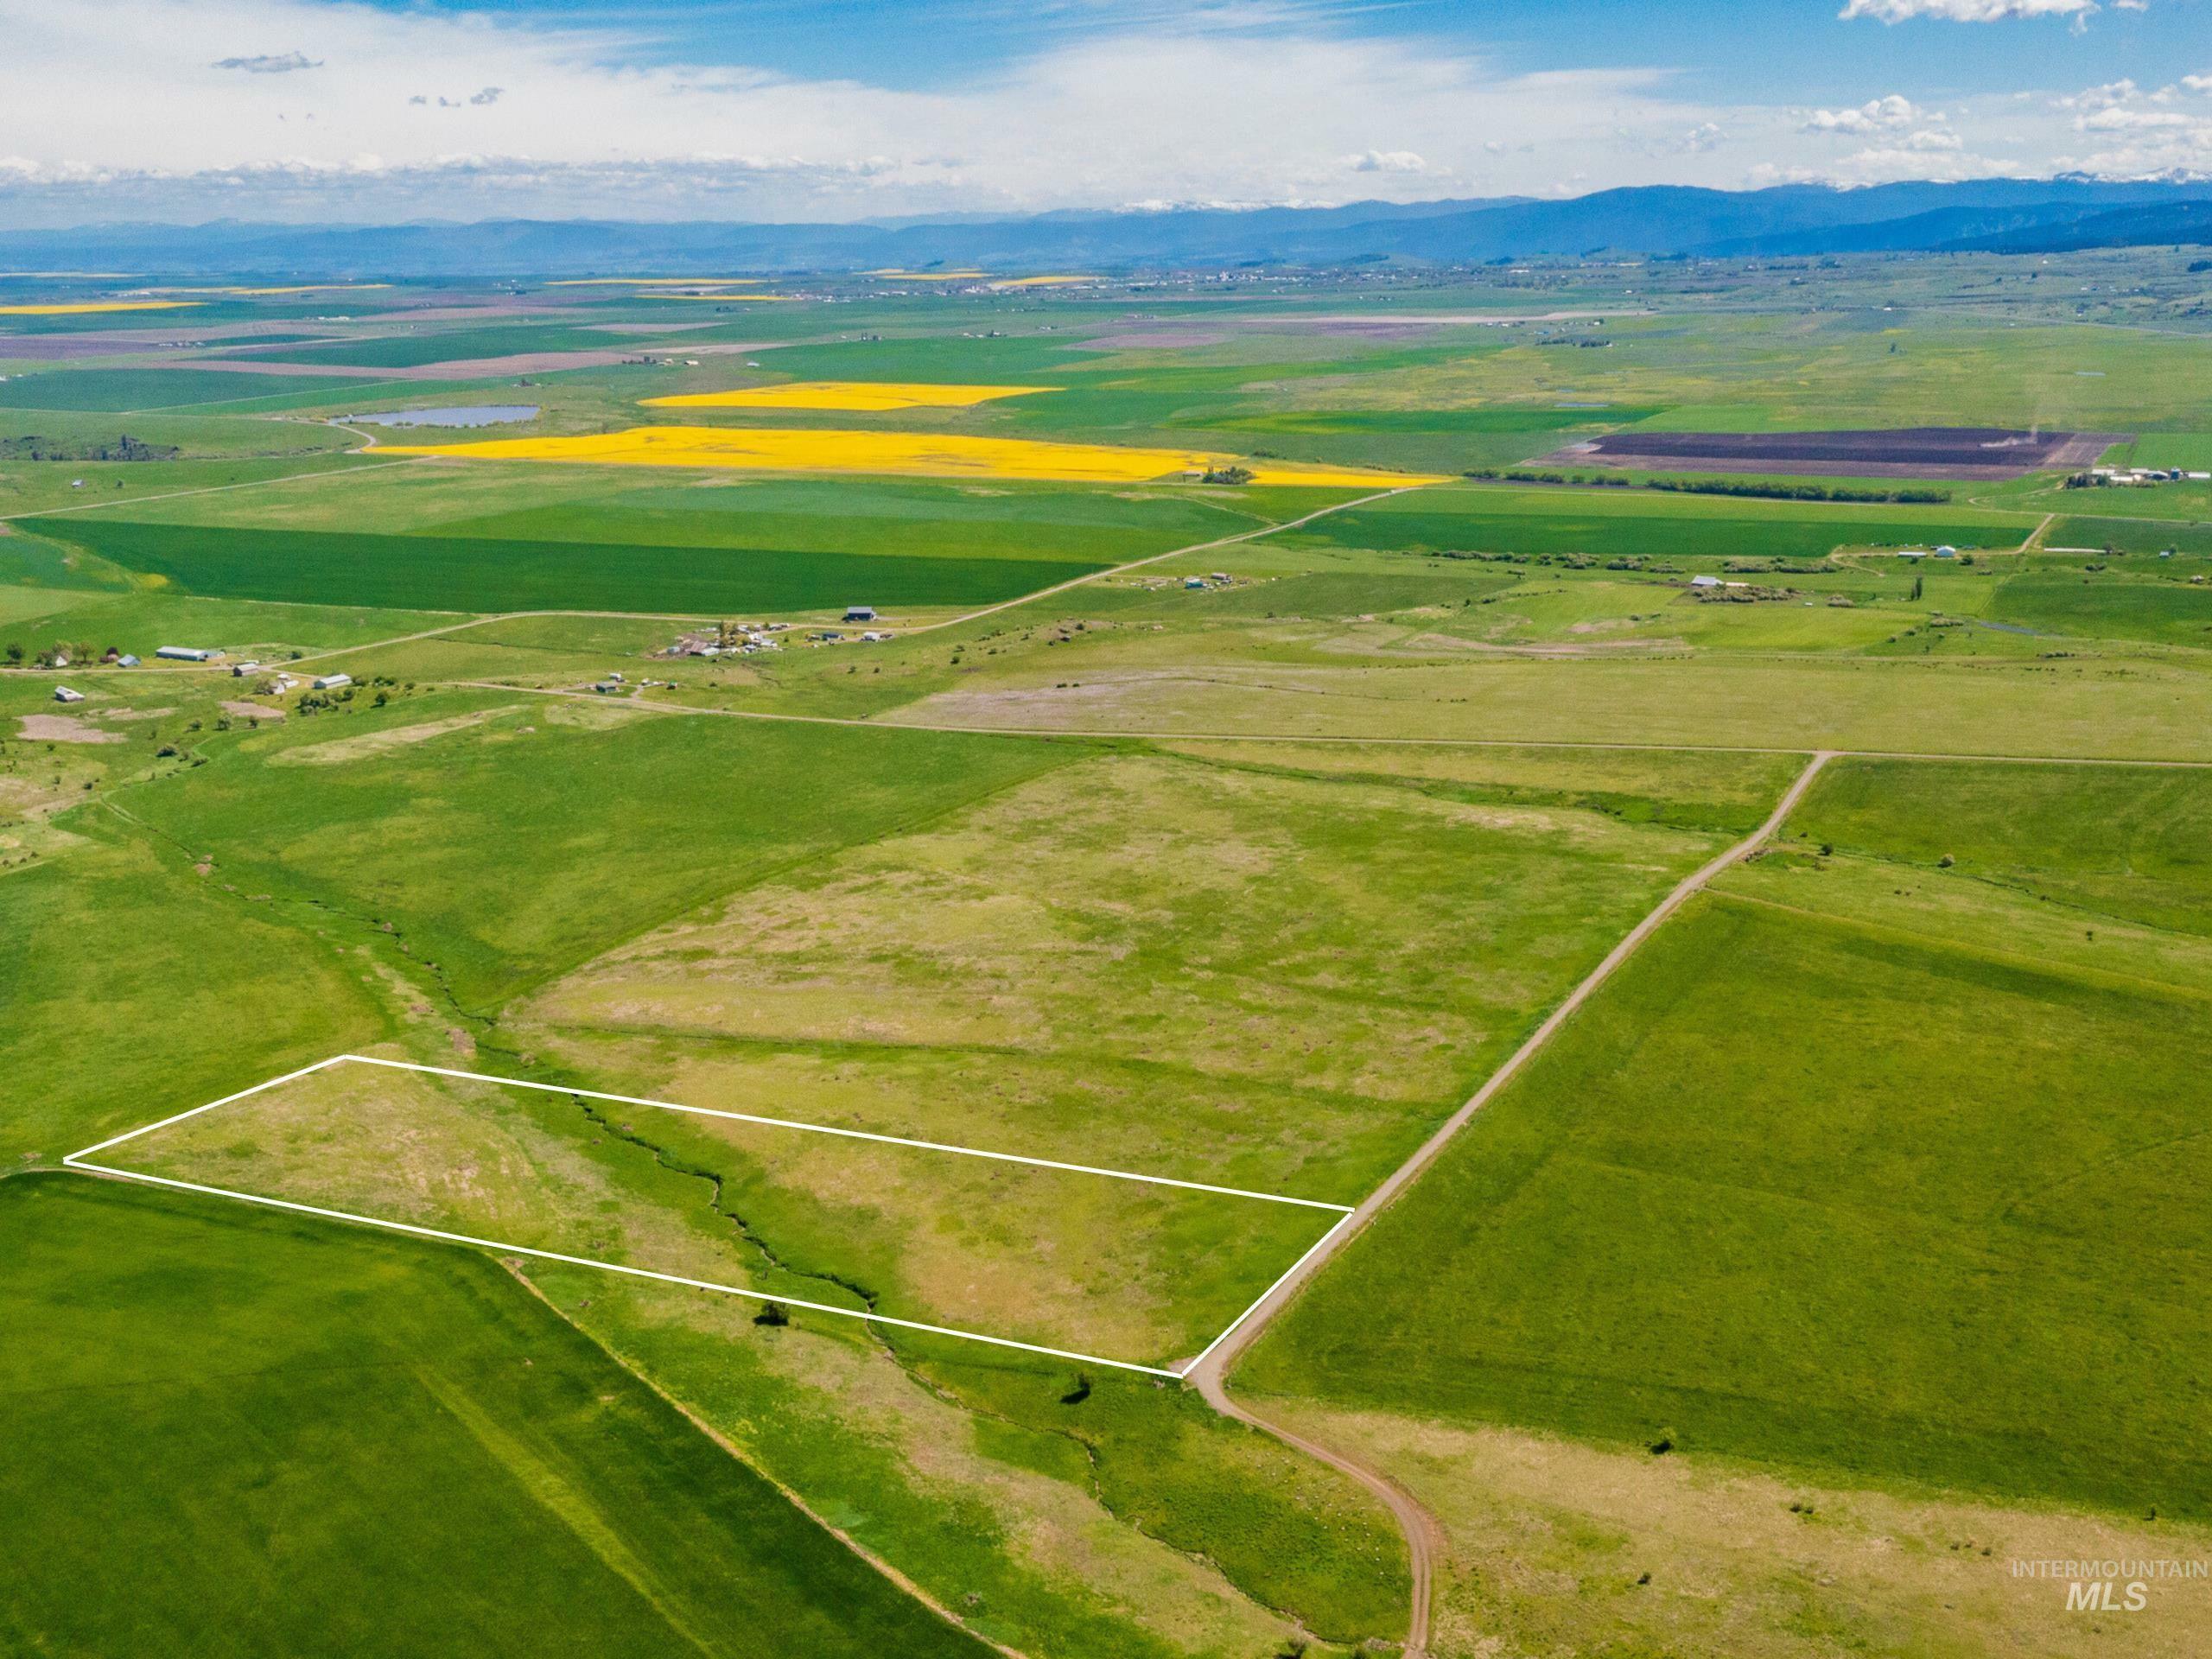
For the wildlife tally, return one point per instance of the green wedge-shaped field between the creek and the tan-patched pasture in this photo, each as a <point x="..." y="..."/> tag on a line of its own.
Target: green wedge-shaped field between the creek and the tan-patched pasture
<point x="306" y="811"/>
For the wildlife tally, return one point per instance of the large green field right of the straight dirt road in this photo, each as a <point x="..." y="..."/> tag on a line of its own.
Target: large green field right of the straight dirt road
<point x="1815" y="1185"/>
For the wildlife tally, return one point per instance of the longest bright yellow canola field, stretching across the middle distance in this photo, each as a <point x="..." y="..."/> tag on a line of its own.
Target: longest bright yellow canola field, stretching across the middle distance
<point x="895" y="452"/>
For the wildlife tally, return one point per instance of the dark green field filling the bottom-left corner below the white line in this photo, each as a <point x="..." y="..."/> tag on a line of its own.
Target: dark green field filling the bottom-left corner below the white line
<point x="408" y="1454"/>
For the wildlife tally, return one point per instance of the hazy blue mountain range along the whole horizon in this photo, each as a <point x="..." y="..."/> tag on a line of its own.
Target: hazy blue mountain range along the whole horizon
<point x="2003" y="216"/>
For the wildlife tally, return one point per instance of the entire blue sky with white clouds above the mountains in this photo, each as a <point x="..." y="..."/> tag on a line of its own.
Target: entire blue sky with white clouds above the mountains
<point x="839" y="109"/>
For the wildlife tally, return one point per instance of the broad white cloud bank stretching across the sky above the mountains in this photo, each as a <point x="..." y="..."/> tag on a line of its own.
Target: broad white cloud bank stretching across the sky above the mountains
<point x="468" y="114"/>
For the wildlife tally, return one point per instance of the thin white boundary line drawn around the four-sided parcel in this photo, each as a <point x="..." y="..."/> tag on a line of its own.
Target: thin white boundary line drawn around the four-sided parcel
<point x="83" y="1162"/>
